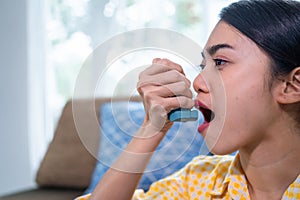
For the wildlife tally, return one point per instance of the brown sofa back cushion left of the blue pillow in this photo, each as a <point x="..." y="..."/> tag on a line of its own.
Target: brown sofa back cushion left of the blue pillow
<point x="71" y="157"/>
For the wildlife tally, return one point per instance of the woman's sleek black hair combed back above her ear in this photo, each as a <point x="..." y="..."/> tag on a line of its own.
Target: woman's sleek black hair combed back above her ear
<point x="274" y="25"/>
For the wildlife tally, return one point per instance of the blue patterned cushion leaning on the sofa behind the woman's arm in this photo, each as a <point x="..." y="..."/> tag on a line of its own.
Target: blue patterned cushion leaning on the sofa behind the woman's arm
<point x="120" y="121"/>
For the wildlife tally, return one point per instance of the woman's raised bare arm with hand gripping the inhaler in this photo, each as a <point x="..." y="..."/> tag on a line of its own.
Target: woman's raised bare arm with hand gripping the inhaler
<point x="157" y="85"/>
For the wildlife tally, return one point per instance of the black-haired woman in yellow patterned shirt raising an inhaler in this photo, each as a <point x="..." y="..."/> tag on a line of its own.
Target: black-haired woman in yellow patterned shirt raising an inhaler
<point x="255" y="51"/>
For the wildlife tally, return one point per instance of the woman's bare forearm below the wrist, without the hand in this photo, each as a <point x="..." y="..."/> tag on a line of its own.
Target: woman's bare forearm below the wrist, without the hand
<point x="121" y="180"/>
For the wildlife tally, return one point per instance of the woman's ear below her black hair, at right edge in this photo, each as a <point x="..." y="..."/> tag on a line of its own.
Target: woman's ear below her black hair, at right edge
<point x="288" y="91"/>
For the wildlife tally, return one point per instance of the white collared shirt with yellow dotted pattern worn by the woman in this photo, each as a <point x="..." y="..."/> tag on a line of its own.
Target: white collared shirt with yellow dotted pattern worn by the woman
<point x="206" y="177"/>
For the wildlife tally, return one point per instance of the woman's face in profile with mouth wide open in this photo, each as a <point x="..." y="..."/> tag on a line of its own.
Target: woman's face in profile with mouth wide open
<point x="234" y="86"/>
